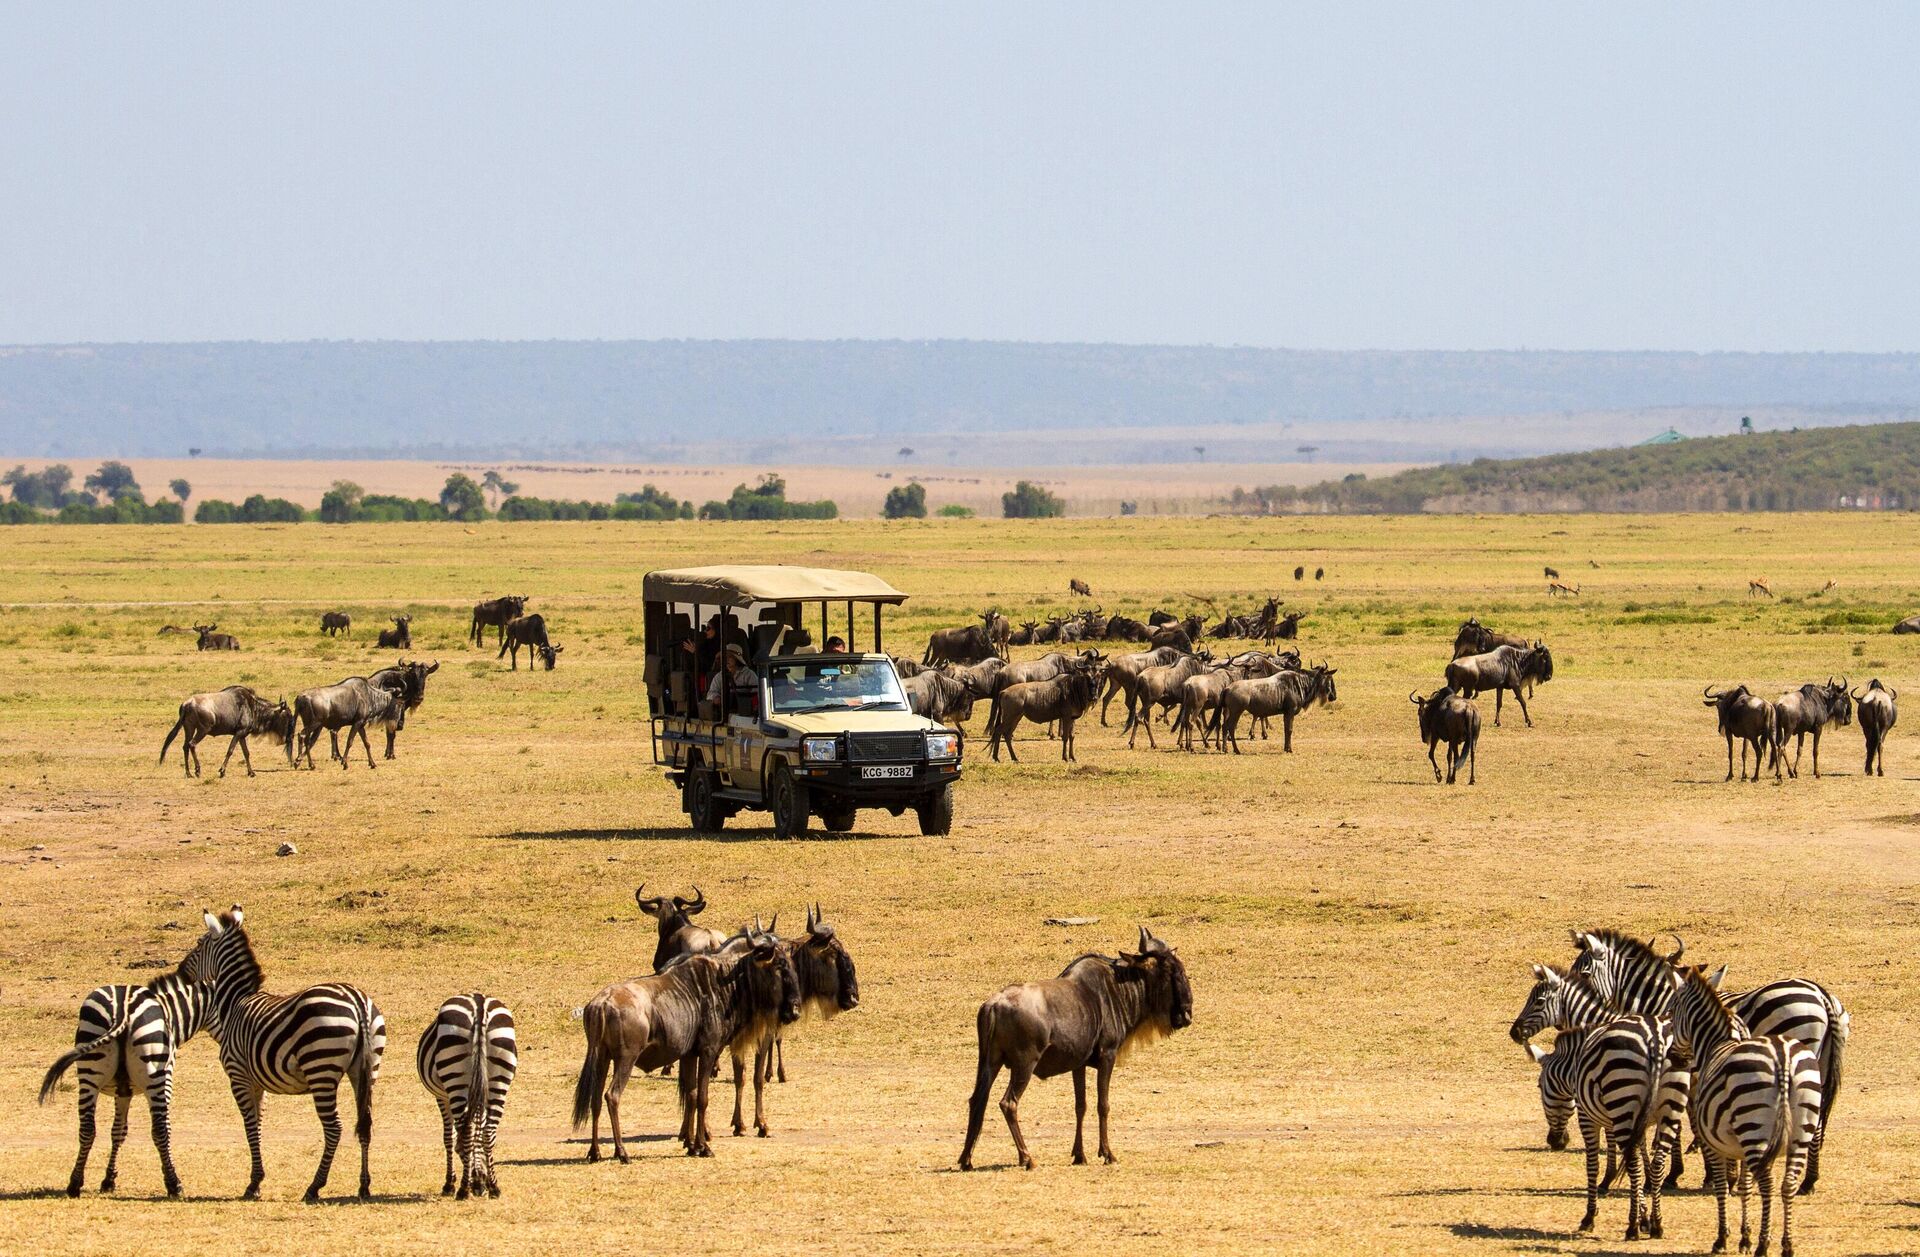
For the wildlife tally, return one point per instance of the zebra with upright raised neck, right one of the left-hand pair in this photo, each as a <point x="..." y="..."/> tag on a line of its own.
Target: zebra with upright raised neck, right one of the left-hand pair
<point x="299" y="1045"/>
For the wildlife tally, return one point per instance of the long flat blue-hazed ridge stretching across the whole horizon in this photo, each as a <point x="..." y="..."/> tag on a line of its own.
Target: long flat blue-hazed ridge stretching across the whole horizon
<point x="677" y="398"/>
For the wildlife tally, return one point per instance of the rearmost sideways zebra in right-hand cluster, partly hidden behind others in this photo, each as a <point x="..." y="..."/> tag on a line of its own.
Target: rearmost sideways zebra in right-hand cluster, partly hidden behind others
<point x="1637" y="980"/>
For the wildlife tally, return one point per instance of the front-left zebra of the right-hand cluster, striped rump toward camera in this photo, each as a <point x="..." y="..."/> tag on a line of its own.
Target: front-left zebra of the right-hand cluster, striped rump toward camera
<point x="1610" y="1074"/>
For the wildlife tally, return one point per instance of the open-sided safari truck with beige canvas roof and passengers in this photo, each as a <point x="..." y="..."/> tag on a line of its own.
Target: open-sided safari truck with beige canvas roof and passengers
<point x="800" y="732"/>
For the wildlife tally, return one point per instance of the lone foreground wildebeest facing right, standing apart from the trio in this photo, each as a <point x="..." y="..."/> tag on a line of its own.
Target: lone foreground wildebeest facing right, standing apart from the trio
<point x="1099" y="1008"/>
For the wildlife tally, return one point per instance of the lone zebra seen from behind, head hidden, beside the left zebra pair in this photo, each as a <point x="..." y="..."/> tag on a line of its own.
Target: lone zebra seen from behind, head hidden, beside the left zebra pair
<point x="468" y="1074"/>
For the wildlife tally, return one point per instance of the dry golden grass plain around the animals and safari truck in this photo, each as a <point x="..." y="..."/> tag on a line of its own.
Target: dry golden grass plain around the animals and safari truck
<point x="1356" y="936"/>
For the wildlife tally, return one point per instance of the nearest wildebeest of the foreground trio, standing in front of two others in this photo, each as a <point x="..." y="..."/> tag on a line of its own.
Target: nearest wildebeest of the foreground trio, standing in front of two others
<point x="686" y="1014"/>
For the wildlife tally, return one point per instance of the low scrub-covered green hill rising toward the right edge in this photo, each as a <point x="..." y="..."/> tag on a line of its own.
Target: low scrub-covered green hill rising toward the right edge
<point x="1865" y="467"/>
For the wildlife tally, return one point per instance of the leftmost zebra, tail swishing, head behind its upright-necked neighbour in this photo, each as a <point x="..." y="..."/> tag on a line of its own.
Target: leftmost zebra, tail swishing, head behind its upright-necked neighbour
<point x="130" y="1035"/>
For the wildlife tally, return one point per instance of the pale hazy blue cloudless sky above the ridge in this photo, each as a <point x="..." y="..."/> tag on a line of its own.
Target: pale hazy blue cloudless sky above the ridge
<point x="1295" y="176"/>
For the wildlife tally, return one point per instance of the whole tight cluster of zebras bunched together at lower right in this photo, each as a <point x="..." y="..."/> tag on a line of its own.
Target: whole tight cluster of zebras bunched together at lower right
<point x="1648" y="1045"/>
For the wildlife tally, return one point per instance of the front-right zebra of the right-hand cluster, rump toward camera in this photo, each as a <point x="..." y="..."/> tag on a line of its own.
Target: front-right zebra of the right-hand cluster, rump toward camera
<point x="1756" y="1101"/>
